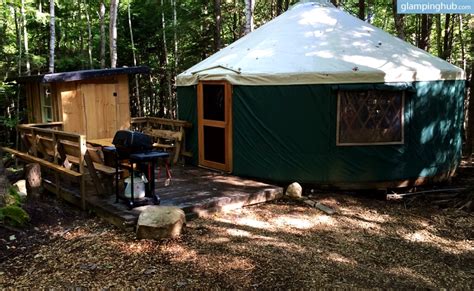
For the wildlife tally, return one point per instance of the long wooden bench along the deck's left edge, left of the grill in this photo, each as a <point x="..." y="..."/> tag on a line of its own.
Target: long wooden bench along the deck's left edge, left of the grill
<point x="65" y="153"/>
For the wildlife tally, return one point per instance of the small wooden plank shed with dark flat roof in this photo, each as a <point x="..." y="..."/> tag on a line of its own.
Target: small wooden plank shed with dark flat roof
<point x="94" y="103"/>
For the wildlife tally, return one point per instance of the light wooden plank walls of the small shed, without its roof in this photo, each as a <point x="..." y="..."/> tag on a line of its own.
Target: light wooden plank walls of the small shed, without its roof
<point x="96" y="108"/>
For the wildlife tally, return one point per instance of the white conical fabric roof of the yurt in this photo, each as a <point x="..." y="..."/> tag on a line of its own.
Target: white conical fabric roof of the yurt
<point x="317" y="43"/>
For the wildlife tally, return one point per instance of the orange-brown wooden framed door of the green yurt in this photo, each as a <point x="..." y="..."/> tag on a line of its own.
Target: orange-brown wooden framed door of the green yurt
<point x="215" y="125"/>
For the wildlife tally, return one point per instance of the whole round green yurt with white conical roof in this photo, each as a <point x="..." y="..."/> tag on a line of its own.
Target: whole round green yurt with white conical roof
<point x="319" y="96"/>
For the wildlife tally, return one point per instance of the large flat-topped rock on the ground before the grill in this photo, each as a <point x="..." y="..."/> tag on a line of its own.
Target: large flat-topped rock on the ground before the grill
<point x="157" y="222"/>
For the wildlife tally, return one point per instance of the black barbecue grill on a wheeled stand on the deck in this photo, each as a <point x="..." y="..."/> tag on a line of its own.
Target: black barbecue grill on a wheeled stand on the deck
<point x="137" y="148"/>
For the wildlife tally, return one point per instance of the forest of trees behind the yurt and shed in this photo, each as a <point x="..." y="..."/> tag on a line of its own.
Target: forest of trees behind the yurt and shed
<point x="169" y="36"/>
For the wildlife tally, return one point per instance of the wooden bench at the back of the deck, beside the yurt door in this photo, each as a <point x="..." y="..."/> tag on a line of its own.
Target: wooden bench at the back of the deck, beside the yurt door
<point x="168" y="134"/>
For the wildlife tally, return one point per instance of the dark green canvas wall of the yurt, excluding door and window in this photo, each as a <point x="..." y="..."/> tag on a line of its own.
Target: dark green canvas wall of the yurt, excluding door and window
<point x="288" y="133"/>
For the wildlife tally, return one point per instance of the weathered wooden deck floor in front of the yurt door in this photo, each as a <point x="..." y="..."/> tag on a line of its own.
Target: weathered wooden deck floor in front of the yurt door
<point x="199" y="192"/>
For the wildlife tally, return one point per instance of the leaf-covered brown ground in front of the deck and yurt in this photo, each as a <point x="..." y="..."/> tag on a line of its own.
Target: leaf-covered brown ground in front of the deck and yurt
<point x="369" y="242"/>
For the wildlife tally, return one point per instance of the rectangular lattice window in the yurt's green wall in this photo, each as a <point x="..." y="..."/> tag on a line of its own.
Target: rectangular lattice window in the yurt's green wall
<point x="370" y="117"/>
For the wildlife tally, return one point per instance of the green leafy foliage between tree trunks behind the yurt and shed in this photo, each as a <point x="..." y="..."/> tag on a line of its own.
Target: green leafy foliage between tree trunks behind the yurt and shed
<point x="194" y="29"/>
